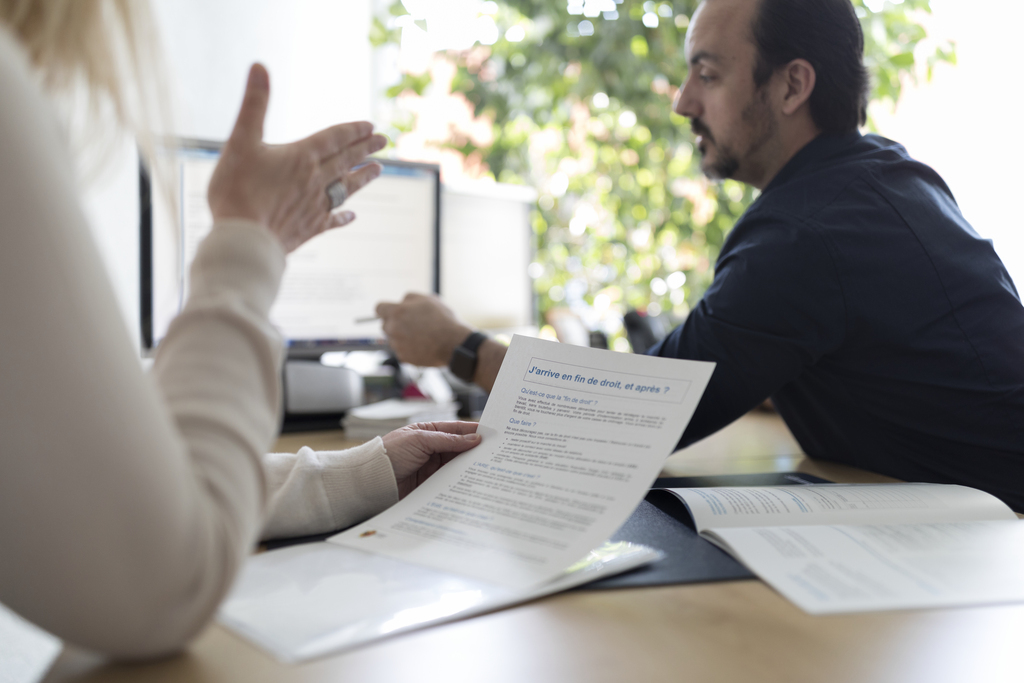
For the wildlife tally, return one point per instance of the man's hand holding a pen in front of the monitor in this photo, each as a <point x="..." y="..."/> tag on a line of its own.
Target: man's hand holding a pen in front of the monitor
<point x="421" y="330"/>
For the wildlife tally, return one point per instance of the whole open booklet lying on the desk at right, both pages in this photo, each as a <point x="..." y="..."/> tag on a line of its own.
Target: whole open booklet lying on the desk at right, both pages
<point x="845" y="548"/>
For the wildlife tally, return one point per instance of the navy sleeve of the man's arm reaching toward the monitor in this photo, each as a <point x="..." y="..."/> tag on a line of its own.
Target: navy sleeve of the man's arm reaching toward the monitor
<point x="775" y="308"/>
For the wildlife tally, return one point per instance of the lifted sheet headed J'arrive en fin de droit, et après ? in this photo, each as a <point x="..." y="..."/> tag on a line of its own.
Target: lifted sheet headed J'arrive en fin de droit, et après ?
<point x="573" y="438"/>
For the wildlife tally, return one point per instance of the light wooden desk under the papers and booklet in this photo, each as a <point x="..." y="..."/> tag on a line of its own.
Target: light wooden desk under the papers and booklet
<point x="736" y="631"/>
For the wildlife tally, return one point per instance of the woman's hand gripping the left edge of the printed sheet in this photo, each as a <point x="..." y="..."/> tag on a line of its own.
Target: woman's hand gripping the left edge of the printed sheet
<point x="418" y="451"/>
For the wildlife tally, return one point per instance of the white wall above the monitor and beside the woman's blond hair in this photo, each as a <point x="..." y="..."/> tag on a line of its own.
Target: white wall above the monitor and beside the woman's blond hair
<point x="319" y="56"/>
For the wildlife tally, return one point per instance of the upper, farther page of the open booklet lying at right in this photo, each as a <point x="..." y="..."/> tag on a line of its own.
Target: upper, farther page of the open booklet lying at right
<point x="839" y="504"/>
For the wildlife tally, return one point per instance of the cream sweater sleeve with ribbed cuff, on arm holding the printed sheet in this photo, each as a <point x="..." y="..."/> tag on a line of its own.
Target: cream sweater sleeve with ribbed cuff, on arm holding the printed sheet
<point x="314" y="492"/>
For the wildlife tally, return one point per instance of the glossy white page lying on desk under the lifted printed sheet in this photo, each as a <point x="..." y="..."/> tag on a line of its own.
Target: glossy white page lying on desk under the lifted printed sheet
<point x="315" y="600"/>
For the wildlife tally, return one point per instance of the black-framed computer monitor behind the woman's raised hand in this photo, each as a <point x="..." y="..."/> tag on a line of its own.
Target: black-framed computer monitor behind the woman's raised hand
<point x="331" y="283"/>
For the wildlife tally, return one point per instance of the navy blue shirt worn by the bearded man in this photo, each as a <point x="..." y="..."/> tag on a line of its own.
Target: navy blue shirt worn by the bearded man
<point x="887" y="333"/>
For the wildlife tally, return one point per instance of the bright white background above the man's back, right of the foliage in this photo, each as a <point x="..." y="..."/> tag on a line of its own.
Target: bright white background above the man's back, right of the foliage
<point x="966" y="122"/>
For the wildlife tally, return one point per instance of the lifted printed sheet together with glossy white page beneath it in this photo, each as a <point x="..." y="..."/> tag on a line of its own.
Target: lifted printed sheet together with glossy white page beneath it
<point x="573" y="439"/>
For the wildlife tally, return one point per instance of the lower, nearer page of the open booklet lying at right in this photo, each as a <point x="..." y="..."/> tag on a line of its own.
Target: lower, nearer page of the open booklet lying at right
<point x="830" y="570"/>
